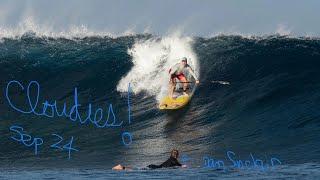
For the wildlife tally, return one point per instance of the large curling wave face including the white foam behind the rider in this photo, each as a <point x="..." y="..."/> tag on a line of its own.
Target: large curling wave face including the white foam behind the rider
<point x="270" y="108"/>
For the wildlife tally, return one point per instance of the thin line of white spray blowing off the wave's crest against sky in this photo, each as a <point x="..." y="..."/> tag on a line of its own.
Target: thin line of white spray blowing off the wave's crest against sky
<point x="30" y="24"/>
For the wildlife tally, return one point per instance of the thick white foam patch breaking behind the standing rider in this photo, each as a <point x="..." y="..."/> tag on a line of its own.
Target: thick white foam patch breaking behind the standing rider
<point x="151" y="61"/>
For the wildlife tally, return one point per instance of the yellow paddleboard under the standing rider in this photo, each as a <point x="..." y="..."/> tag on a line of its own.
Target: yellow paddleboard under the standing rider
<point x="178" y="100"/>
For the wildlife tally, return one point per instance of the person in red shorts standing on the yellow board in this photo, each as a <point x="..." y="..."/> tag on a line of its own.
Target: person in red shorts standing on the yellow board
<point x="178" y="71"/>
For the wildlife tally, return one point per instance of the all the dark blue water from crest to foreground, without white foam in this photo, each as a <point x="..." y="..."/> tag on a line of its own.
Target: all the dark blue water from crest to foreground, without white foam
<point x="269" y="110"/>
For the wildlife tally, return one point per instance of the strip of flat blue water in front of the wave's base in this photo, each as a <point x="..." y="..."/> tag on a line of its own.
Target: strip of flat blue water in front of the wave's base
<point x="304" y="171"/>
